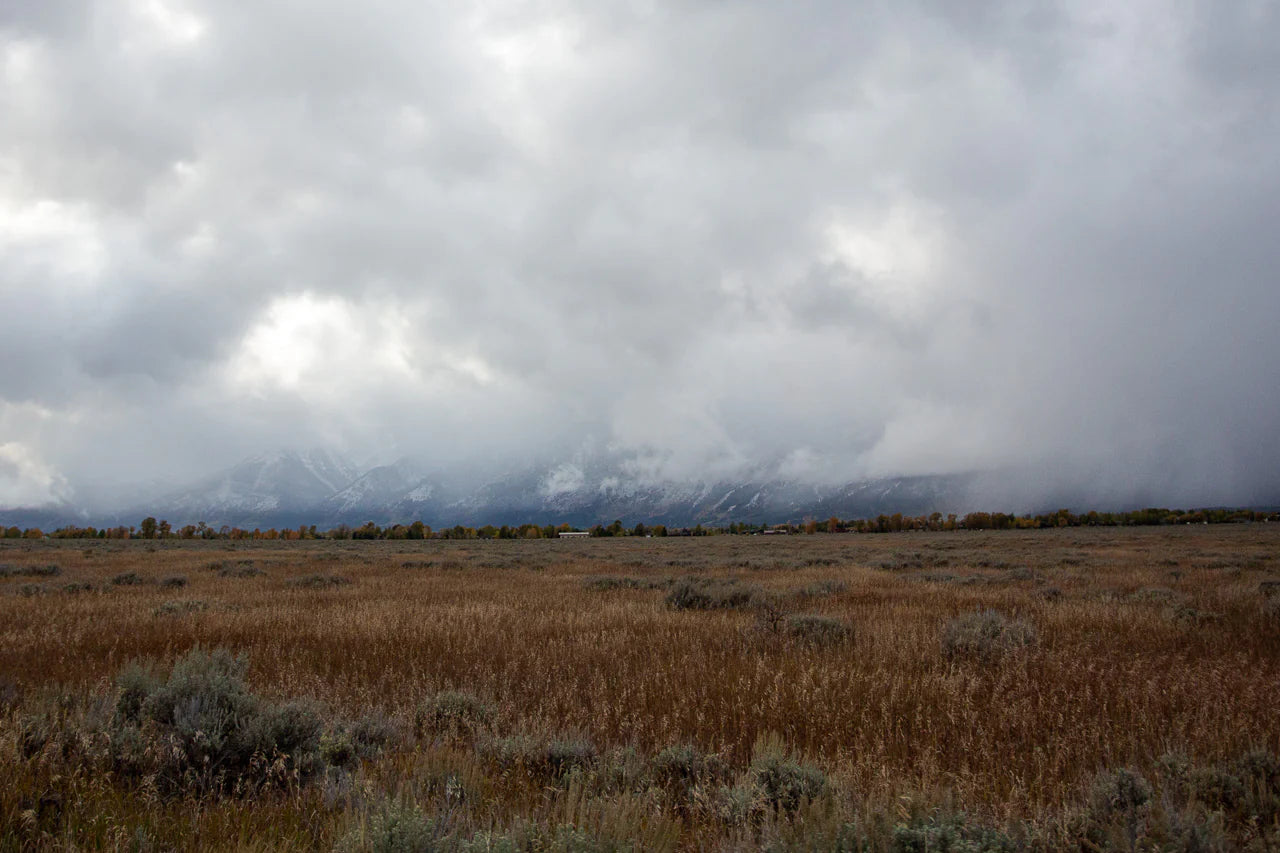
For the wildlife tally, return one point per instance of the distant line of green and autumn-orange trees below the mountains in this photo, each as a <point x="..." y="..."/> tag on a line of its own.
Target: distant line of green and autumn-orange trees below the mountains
<point x="150" y="528"/>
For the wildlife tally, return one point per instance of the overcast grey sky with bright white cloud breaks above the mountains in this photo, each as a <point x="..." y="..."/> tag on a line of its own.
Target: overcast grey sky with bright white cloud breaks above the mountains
<point x="865" y="239"/>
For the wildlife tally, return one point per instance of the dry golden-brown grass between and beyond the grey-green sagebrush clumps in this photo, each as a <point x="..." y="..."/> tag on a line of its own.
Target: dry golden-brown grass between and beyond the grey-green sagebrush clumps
<point x="1149" y="641"/>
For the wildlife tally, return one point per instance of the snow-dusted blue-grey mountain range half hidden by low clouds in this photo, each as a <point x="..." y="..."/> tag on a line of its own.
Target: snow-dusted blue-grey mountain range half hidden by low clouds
<point x="321" y="487"/>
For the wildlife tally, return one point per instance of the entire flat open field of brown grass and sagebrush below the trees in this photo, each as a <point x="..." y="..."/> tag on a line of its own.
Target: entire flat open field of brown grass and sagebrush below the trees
<point x="824" y="692"/>
